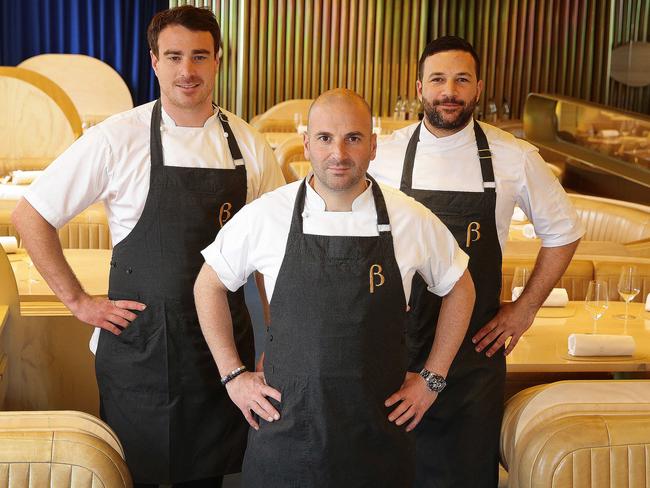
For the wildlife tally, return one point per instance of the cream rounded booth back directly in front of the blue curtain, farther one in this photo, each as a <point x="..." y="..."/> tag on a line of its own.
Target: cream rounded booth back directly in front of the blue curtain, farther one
<point x="96" y="89"/>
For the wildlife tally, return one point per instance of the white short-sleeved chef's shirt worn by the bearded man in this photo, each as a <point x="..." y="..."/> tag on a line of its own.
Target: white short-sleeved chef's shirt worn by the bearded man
<point x="451" y="163"/>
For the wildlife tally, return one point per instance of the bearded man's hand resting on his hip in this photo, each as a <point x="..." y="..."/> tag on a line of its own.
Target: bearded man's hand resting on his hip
<point x="510" y="322"/>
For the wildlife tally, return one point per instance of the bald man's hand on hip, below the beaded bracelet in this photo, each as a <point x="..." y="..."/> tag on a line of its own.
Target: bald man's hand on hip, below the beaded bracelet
<point x="249" y="391"/>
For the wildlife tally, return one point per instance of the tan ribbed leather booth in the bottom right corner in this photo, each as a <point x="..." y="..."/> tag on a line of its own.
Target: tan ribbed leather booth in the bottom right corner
<point x="578" y="433"/>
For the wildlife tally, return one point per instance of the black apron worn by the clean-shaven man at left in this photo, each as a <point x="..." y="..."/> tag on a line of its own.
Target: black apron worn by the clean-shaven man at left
<point x="159" y="386"/>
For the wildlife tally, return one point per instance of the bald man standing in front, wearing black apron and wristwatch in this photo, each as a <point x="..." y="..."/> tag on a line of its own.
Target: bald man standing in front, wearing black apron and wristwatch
<point x="335" y="405"/>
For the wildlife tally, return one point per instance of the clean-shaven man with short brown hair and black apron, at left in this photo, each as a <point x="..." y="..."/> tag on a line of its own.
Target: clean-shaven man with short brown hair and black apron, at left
<point x="170" y="174"/>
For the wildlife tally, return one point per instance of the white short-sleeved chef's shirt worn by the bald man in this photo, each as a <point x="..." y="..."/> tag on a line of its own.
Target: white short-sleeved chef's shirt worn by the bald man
<point x="255" y="238"/>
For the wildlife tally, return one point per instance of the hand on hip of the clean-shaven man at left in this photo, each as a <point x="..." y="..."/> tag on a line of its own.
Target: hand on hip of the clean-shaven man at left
<point x="112" y="315"/>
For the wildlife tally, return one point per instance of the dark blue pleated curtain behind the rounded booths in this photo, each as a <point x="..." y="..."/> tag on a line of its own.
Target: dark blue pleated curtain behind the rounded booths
<point x="111" y="30"/>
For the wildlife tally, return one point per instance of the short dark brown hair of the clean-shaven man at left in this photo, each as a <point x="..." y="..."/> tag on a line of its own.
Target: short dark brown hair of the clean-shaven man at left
<point x="188" y="16"/>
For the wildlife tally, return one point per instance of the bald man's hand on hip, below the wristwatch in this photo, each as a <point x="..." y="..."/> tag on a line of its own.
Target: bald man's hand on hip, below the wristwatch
<point x="414" y="399"/>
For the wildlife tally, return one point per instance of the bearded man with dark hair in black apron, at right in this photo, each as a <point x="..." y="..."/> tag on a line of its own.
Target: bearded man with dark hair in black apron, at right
<point x="471" y="175"/>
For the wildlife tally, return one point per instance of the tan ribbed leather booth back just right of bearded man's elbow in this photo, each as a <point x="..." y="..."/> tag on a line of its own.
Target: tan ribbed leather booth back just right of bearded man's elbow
<point x="611" y="220"/>
